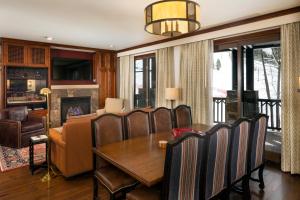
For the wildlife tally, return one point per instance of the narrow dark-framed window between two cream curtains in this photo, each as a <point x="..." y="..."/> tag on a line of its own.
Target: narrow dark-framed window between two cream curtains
<point x="144" y="81"/>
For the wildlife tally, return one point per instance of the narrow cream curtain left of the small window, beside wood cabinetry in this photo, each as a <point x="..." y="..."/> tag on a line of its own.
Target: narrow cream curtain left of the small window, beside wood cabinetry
<point x="127" y="81"/>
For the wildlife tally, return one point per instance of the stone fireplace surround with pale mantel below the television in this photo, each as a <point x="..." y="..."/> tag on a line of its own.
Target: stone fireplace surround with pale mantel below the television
<point x="59" y="91"/>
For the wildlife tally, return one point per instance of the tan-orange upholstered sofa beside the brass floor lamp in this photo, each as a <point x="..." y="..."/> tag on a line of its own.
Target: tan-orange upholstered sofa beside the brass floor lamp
<point x="71" y="146"/>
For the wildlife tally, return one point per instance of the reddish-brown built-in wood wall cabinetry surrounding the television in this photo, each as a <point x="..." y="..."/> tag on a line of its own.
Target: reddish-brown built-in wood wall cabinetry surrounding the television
<point x="20" y="53"/>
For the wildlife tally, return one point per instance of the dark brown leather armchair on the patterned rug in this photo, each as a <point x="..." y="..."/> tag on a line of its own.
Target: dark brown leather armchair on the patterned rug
<point x="16" y="127"/>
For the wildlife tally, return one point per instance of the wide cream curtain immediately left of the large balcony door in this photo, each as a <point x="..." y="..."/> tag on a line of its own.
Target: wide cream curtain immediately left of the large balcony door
<point x="196" y="63"/>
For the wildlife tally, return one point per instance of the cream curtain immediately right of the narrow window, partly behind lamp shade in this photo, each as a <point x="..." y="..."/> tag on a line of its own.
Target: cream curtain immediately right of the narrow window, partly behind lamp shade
<point x="164" y="75"/>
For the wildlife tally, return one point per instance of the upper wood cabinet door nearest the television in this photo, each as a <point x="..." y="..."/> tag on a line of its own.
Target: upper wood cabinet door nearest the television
<point x="38" y="56"/>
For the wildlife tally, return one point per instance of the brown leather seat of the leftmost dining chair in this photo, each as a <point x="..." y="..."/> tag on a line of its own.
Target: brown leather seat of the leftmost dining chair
<point x="114" y="179"/>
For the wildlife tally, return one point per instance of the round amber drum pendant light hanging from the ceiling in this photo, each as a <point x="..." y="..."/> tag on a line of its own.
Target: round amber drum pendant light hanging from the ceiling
<point x="172" y="17"/>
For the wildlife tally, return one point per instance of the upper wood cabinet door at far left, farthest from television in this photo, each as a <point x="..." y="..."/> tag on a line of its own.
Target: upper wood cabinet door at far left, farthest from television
<point x="15" y="54"/>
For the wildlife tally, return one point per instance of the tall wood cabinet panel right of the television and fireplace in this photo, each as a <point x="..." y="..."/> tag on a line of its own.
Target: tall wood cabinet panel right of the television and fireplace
<point x="105" y="70"/>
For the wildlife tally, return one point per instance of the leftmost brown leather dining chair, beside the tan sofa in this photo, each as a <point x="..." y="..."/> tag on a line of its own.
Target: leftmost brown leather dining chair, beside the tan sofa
<point x="106" y="129"/>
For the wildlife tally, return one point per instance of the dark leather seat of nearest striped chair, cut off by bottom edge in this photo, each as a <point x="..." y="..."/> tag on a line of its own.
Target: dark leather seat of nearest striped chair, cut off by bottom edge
<point x="143" y="193"/>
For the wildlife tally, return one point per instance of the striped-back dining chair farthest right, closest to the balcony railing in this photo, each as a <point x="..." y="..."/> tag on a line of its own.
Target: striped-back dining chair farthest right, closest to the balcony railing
<point x="256" y="159"/>
